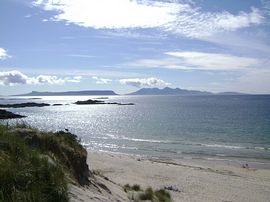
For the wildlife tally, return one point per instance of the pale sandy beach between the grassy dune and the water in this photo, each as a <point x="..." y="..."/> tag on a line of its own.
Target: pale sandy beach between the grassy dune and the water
<point x="189" y="180"/>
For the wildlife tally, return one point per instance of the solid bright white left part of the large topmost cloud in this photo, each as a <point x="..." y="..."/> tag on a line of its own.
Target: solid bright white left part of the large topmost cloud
<point x="112" y="14"/>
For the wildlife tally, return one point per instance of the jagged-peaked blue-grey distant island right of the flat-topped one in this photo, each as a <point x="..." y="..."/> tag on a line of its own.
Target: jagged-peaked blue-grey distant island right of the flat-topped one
<point x="169" y="91"/>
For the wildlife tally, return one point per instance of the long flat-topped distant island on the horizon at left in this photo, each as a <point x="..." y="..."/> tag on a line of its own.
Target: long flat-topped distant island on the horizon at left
<point x="68" y="93"/>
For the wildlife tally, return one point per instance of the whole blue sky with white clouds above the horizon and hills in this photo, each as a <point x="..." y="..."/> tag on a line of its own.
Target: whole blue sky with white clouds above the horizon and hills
<point x="125" y="45"/>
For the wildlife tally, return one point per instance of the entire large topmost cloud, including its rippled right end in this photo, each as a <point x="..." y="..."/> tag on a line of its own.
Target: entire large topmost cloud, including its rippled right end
<point x="184" y="19"/>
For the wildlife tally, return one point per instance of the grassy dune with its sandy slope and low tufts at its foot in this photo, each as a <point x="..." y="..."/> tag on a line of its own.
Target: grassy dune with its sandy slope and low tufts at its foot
<point x="37" y="166"/>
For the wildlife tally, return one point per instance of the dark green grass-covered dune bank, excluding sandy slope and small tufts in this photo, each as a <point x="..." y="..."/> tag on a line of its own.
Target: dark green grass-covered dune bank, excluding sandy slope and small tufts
<point x="37" y="166"/>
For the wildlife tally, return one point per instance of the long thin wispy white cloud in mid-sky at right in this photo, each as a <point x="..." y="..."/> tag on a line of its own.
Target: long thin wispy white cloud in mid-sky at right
<point x="198" y="61"/>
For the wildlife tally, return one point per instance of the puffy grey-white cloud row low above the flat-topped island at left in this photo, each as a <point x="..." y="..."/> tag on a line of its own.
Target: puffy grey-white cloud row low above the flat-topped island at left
<point x="11" y="78"/>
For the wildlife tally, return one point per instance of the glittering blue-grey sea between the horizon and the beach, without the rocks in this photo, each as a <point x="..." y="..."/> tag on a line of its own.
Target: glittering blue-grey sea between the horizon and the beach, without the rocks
<point x="203" y="127"/>
